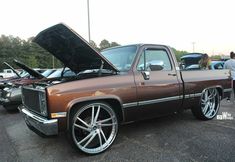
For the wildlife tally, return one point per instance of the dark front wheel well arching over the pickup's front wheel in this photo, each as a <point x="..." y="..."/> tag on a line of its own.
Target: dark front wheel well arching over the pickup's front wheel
<point x="115" y="104"/>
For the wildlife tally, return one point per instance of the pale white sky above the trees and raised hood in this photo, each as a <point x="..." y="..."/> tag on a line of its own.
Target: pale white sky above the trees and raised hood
<point x="210" y="24"/>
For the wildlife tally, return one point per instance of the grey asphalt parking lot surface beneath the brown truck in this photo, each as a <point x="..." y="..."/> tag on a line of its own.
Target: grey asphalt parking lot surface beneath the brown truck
<point x="173" y="138"/>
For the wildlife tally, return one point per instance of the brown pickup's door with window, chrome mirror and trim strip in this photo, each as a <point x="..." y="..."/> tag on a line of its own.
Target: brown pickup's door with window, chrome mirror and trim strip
<point x="158" y="87"/>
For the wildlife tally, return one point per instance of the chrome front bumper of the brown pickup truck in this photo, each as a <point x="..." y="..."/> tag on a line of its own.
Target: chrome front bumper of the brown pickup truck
<point x="39" y="124"/>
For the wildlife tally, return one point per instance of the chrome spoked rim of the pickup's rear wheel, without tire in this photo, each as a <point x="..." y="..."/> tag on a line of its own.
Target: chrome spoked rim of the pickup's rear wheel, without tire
<point x="210" y="102"/>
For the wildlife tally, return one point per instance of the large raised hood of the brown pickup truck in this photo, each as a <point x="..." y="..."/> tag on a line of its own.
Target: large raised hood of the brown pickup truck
<point x="71" y="49"/>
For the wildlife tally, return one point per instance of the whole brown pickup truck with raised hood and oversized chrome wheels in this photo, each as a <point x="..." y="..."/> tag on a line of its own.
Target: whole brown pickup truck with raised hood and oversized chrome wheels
<point x="118" y="85"/>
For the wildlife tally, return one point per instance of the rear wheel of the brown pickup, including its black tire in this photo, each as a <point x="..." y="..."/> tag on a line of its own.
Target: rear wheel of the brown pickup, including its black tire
<point x="209" y="105"/>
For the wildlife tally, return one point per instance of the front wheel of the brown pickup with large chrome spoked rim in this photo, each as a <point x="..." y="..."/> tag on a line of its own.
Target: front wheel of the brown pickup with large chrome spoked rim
<point x="94" y="128"/>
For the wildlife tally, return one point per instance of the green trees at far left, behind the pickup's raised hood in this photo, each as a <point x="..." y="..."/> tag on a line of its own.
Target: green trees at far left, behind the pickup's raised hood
<point x="25" y="51"/>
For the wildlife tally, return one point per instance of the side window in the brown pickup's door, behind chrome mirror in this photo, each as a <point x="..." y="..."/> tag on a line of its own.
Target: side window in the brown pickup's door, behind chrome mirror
<point x="154" y="60"/>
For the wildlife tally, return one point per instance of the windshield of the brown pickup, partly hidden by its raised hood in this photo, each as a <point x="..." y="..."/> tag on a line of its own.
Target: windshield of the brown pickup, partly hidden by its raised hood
<point x="121" y="57"/>
